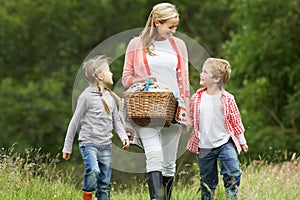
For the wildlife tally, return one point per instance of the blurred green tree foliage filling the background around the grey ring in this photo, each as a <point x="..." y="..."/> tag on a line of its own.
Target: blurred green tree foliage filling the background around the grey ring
<point x="43" y="43"/>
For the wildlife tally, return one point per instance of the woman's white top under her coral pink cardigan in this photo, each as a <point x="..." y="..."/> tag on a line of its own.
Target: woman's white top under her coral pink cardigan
<point x="163" y="65"/>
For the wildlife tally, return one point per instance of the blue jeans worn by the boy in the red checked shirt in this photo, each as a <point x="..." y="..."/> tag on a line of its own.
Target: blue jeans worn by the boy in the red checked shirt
<point x="208" y="164"/>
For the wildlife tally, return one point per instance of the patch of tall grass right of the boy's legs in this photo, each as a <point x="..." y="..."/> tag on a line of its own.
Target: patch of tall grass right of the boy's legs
<point x="271" y="181"/>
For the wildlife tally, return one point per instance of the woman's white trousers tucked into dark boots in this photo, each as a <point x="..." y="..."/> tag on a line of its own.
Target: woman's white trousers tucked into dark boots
<point x="160" y="145"/>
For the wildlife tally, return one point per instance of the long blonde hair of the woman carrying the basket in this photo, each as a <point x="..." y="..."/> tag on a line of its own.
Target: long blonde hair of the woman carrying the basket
<point x="161" y="12"/>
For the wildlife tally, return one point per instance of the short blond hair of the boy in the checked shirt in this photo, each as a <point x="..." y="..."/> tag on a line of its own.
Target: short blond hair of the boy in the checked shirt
<point x="220" y="68"/>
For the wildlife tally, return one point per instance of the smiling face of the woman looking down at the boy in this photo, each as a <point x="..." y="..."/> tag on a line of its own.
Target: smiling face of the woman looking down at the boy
<point x="166" y="29"/>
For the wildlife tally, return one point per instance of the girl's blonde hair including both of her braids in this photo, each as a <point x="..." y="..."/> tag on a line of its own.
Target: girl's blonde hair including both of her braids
<point x="94" y="66"/>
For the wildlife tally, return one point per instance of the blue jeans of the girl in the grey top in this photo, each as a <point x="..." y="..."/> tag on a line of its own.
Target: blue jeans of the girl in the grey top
<point x="98" y="169"/>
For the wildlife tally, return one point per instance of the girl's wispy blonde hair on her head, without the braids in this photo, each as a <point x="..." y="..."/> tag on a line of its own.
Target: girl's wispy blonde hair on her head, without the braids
<point x="94" y="66"/>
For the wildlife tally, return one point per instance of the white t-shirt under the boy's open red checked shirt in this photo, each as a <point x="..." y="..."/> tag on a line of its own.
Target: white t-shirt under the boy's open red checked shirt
<point x="212" y="131"/>
